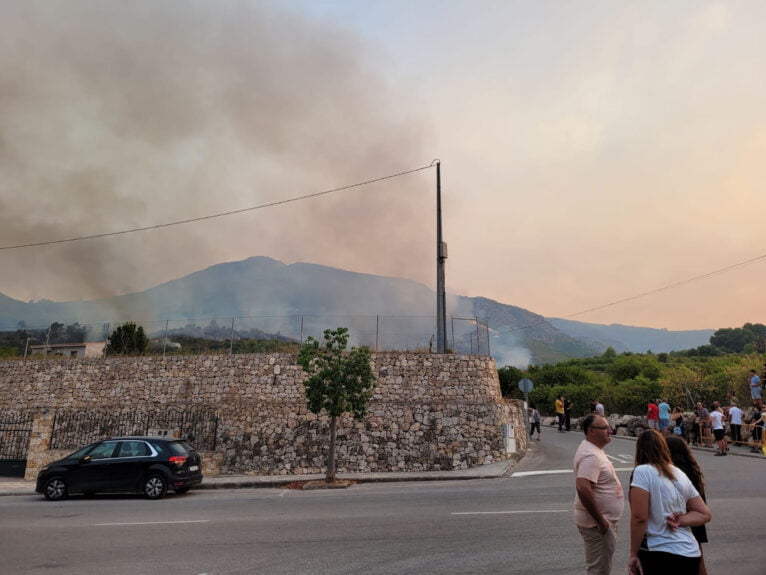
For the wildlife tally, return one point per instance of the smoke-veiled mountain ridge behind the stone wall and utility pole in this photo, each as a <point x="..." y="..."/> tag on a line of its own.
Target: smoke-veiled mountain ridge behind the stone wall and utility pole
<point x="303" y="299"/>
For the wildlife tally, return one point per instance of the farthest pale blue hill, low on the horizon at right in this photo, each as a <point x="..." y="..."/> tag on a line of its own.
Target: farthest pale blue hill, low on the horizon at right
<point x="628" y="338"/>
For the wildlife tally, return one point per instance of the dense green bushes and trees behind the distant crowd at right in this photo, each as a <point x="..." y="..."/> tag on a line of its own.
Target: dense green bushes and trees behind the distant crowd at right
<point x="625" y="382"/>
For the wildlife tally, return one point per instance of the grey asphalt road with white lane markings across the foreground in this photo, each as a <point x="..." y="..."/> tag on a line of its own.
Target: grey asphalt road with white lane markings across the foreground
<point x="516" y="524"/>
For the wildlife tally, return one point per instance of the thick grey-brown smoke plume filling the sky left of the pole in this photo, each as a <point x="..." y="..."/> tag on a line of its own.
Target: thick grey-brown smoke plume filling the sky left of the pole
<point x="115" y="115"/>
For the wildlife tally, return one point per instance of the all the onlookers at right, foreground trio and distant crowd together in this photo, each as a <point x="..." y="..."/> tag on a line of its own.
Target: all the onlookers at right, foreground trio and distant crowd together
<point x="668" y="507"/>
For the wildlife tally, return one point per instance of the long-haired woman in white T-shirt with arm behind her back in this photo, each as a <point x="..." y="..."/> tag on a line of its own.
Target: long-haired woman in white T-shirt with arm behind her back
<point x="664" y="505"/>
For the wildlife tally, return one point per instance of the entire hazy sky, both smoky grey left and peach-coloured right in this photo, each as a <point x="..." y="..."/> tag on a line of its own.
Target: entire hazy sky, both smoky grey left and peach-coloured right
<point x="591" y="151"/>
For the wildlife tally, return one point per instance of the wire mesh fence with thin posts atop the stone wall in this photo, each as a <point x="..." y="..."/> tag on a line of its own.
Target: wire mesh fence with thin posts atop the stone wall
<point x="254" y="334"/>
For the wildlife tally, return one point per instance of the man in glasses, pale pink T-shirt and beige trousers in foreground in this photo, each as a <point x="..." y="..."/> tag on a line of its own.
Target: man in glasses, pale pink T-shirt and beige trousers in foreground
<point x="599" y="500"/>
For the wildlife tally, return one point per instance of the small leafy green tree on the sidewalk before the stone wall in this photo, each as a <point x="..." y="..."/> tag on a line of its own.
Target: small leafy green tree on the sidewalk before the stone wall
<point x="339" y="381"/>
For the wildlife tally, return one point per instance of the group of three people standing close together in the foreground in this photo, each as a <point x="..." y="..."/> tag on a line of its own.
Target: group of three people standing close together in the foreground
<point x="668" y="510"/>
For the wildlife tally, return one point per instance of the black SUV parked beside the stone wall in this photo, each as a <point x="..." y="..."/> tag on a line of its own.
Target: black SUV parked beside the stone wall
<point x="148" y="465"/>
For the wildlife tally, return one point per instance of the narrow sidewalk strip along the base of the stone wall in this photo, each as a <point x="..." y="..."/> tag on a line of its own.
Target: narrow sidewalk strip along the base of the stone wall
<point x="17" y="486"/>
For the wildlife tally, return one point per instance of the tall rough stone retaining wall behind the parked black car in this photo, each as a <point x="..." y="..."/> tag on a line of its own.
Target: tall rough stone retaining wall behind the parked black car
<point x="428" y="412"/>
